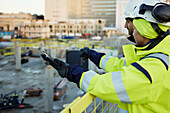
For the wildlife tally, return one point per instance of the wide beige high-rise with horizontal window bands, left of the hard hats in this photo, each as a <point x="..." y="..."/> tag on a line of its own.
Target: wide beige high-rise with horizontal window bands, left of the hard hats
<point x="81" y="9"/>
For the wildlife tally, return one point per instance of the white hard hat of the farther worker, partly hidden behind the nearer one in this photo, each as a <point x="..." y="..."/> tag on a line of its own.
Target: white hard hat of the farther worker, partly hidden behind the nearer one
<point x="131" y="5"/>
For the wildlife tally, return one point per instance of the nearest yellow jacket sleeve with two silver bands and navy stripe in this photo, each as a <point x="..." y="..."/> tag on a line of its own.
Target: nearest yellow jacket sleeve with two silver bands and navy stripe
<point x="139" y="83"/>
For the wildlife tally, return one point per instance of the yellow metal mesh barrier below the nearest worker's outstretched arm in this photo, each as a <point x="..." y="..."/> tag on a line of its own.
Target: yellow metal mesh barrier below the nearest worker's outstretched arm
<point x="84" y="104"/>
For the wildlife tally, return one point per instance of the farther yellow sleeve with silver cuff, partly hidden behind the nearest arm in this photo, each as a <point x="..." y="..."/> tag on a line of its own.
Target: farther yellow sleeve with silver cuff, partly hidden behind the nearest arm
<point x="111" y="64"/>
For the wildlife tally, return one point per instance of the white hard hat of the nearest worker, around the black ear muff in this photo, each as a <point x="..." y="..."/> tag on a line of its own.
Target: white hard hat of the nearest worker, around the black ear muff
<point x="148" y="13"/>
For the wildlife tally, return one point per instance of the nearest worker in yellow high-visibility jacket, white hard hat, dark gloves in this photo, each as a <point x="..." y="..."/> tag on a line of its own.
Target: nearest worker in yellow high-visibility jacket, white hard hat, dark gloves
<point x="140" y="80"/>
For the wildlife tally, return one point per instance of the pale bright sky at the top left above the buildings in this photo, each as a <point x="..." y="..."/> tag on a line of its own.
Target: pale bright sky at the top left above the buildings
<point x="26" y="6"/>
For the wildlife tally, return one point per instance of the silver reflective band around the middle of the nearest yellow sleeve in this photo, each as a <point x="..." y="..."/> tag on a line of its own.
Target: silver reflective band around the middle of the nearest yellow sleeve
<point x="120" y="88"/>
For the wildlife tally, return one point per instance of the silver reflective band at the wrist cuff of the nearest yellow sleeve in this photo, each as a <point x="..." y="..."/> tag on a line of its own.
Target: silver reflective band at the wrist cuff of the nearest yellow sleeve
<point x="86" y="80"/>
